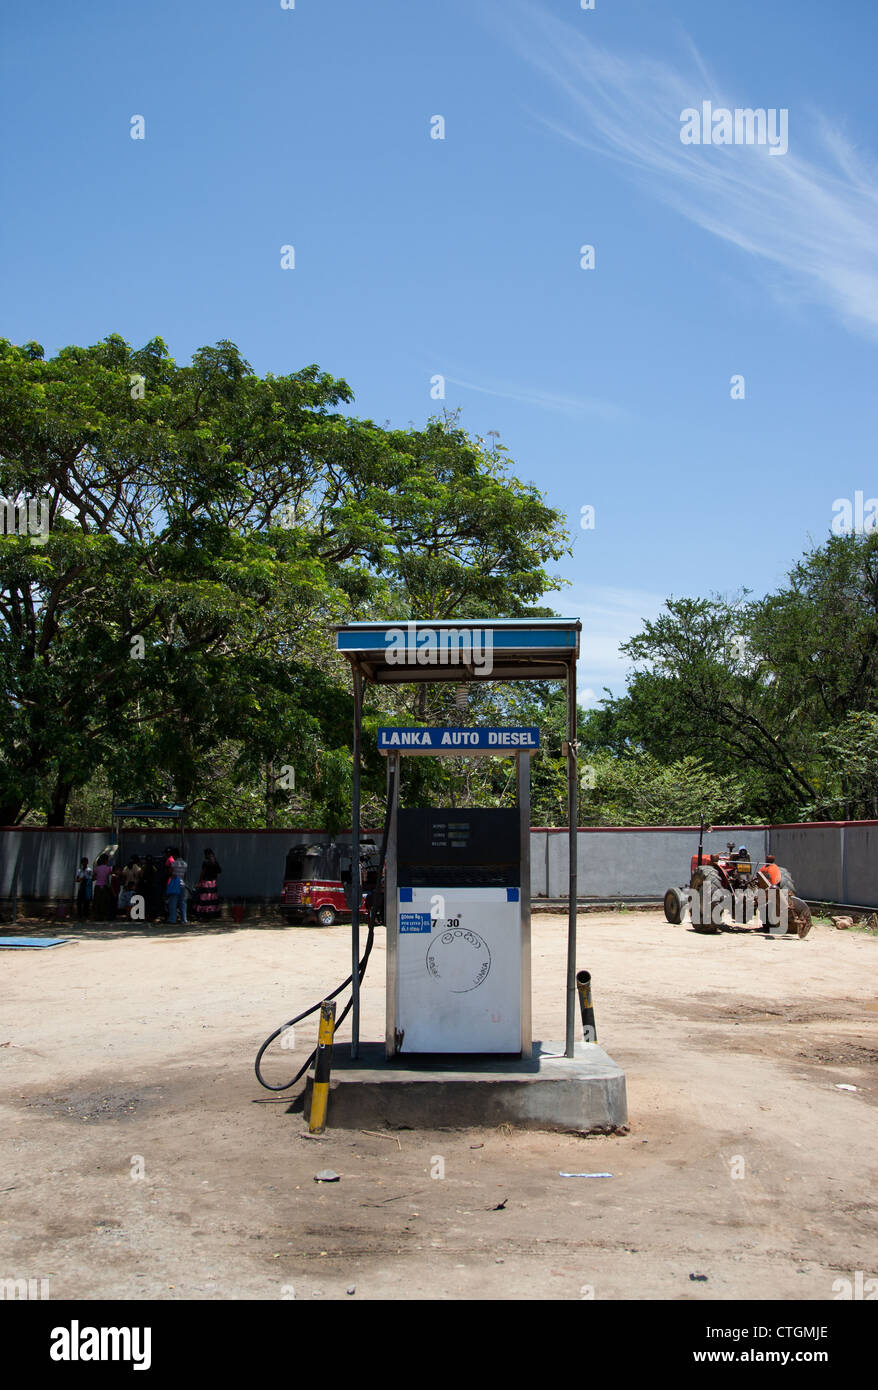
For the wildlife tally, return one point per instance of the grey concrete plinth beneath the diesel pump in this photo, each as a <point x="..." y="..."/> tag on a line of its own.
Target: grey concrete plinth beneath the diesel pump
<point x="548" y="1092"/>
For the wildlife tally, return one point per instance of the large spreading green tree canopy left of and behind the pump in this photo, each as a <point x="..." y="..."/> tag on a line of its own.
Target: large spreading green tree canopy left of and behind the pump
<point x="172" y="635"/>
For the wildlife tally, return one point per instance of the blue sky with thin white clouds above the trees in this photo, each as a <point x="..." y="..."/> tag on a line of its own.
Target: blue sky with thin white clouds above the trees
<point x="415" y="256"/>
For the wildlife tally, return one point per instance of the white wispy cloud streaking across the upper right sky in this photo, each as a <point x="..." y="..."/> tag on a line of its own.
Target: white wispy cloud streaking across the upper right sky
<point x="812" y="216"/>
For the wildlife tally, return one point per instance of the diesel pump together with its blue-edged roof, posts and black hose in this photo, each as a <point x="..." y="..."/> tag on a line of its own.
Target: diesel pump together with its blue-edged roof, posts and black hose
<point x="458" y="883"/>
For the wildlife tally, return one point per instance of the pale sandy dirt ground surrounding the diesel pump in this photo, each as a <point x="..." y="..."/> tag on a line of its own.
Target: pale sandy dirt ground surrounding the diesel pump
<point x="131" y="1052"/>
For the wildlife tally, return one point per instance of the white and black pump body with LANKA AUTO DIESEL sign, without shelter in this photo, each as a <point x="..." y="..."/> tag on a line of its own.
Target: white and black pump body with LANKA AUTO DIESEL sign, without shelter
<point x="458" y="907"/>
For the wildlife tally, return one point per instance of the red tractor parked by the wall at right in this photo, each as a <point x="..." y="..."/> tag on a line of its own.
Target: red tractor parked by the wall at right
<point x="720" y="883"/>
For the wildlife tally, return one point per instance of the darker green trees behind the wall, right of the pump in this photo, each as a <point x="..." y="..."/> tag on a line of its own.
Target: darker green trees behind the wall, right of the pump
<point x="779" y="694"/>
